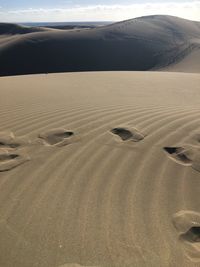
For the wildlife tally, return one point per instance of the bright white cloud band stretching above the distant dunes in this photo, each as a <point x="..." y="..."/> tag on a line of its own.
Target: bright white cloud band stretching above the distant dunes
<point x="188" y="10"/>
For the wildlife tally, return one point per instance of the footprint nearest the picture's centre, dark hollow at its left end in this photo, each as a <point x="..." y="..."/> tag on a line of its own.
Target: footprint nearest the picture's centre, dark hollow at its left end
<point x="128" y="134"/>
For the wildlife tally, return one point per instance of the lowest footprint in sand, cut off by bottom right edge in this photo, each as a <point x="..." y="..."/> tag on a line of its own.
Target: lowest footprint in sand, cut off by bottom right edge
<point x="187" y="224"/>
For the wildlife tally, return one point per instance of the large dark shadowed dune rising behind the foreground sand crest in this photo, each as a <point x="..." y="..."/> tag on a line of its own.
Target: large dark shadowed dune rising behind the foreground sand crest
<point x="145" y="43"/>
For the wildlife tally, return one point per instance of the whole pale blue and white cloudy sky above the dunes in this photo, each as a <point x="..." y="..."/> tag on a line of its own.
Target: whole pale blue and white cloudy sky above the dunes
<point x="93" y="10"/>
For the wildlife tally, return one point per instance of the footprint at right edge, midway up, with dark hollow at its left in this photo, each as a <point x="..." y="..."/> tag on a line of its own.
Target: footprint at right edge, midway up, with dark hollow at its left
<point x="187" y="155"/>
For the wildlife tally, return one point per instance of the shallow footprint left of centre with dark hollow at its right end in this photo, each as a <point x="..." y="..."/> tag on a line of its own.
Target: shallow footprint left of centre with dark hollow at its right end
<point x="58" y="137"/>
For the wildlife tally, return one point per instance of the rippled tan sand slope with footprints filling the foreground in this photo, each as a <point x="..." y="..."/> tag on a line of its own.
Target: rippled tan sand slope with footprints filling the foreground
<point x="100" y="169"/>
